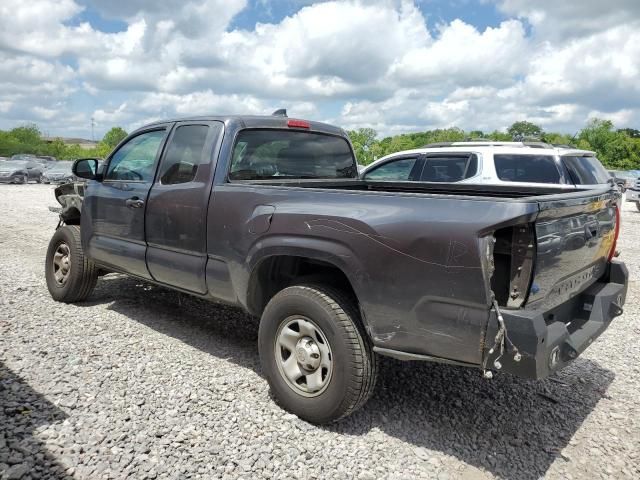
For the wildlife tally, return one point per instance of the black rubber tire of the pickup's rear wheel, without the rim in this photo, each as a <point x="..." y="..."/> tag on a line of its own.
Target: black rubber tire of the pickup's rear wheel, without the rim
<point x="354" y="367"/>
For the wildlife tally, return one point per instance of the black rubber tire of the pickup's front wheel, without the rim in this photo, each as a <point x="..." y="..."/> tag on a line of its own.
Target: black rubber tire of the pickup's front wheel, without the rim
<point x="82" y="273"/>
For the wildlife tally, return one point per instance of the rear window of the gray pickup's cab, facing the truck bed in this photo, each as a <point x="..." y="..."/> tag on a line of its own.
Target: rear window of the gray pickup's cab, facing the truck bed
<point x="268" y="154"/>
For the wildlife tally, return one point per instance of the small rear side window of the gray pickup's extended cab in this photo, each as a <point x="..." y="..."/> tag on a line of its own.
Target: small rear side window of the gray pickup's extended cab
<point x="184" y="154"/>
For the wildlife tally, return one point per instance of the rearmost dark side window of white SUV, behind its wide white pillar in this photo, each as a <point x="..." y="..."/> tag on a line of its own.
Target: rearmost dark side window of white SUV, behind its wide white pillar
<point x="527" y="168"/>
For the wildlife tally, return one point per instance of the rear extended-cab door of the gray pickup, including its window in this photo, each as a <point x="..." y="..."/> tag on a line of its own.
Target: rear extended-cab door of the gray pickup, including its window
<point x="176" y="216"/>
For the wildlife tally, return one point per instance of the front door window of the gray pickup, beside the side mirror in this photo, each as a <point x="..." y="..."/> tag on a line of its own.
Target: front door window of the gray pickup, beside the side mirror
<point x="134" y="161"/>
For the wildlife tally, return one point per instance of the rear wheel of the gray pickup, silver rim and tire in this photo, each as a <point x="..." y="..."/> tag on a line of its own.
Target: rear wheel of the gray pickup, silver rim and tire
<point x="315" y="354"/>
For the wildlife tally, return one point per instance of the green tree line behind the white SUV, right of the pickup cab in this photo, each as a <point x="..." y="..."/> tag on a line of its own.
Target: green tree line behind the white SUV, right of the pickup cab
<point x="617" y="149"/>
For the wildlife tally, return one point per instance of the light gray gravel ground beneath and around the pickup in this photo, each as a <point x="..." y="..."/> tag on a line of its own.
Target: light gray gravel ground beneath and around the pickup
<point x="144" y="382"/>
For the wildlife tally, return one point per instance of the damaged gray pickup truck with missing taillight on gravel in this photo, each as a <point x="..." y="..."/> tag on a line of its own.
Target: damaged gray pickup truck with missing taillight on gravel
<point x="268" y="213"/>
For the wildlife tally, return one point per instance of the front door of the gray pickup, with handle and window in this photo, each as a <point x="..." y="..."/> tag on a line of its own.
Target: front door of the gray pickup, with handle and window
<point x="113" y="212"/>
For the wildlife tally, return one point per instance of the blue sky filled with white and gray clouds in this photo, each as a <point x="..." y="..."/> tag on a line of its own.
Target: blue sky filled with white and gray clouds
<point x="397" y="66"/>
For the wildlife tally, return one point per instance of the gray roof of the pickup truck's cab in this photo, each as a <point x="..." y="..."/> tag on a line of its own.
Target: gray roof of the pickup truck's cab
<point x="256" y="121"/>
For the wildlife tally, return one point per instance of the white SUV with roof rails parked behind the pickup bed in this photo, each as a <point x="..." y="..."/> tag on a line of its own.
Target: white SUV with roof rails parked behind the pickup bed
<point x="491" y="163"/>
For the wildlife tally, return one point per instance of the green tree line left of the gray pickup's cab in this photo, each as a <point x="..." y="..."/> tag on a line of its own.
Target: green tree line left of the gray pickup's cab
<point x="28" y="139"/>
